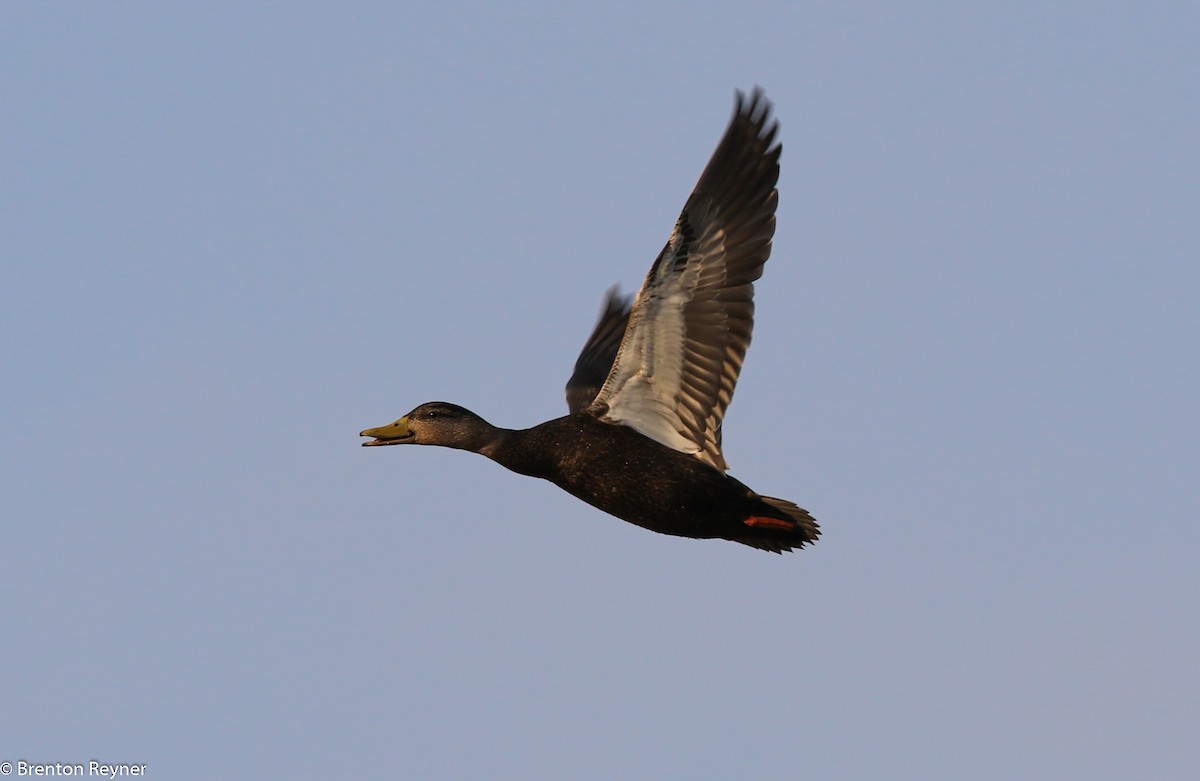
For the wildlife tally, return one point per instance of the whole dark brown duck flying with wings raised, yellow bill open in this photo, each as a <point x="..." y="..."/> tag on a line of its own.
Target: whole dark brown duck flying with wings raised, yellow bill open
<point x="647" y="399"/>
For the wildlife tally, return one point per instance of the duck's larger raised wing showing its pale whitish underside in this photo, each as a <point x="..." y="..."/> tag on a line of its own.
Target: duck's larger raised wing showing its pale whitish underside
<point x="691" y="326"/>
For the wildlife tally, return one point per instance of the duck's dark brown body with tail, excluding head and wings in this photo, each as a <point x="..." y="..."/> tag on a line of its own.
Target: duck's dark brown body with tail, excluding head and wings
<point x="634" y="478"/>
